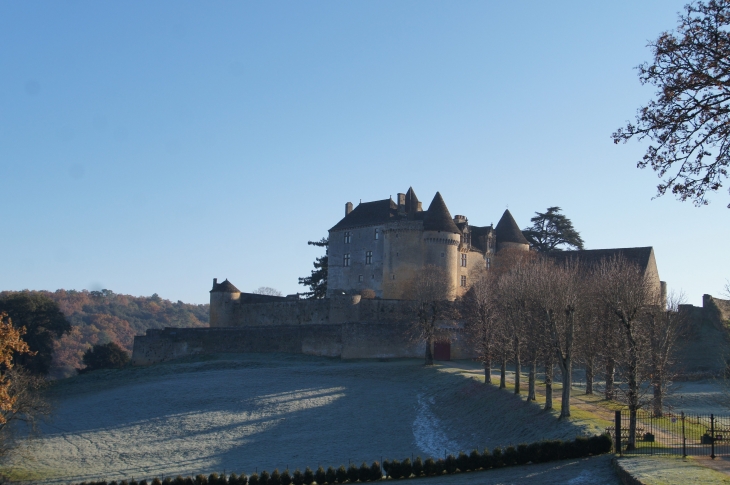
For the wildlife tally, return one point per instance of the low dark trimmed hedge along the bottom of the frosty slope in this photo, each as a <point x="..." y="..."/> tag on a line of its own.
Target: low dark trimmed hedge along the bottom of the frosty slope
<point x="540" y="452"/>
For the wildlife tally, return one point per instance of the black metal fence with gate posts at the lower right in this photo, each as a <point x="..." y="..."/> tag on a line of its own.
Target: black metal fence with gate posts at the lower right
<point x="671" y="434"/>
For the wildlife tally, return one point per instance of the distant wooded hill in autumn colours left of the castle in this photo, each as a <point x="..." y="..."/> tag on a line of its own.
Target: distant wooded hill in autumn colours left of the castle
<point x="99" y="317"/>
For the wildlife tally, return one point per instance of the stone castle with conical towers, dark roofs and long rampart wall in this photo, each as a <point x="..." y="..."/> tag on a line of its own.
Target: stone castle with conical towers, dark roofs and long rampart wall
<point x="378" y="246"/>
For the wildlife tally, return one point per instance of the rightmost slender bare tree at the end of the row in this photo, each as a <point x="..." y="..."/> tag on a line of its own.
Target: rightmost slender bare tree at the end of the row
<point x="665" y="323"/>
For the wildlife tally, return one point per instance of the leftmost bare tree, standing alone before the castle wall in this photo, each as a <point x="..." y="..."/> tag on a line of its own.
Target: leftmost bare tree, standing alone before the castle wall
<point x="430" y="306"/>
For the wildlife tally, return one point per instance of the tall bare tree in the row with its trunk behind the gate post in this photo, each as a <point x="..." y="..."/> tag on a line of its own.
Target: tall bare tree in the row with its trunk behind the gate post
<point x="627" y="293"/>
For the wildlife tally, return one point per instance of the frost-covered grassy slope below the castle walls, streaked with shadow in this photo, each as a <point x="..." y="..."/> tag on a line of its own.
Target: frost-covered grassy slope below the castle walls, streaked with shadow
<point x="247" y="411"/>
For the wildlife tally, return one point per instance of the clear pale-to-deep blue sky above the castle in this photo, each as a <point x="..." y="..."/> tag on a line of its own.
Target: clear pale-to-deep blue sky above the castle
<point x="152" y="146"/>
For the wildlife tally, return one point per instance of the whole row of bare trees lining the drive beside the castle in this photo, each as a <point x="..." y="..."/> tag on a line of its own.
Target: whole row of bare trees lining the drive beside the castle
<point x="540" y="312"/>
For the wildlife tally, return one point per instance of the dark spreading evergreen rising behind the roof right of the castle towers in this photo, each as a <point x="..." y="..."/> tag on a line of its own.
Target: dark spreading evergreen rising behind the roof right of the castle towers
<point x="551" y="229"/>
